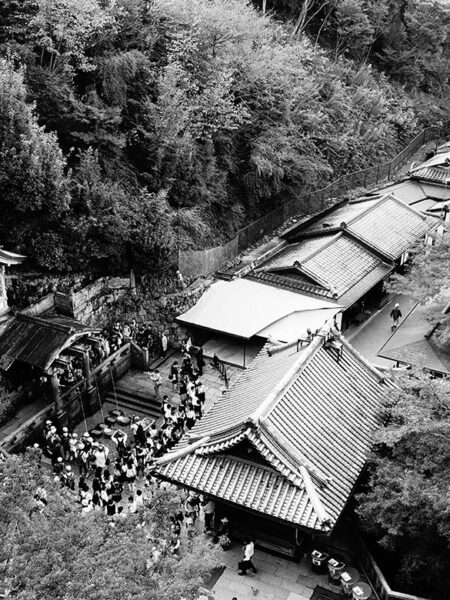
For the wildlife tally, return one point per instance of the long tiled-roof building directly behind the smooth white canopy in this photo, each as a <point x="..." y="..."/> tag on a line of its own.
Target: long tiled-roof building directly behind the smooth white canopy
<point x="349" y="250"/>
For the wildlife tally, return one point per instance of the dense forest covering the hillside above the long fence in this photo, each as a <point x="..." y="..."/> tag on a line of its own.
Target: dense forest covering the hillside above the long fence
<point x="131" y="128"/>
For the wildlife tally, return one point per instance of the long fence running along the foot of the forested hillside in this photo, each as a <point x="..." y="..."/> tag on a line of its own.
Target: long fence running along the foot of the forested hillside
<point x="204" y="262"/>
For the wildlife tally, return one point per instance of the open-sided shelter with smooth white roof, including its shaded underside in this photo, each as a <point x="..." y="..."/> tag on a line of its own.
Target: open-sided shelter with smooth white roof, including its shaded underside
<point x="234" y="319"/>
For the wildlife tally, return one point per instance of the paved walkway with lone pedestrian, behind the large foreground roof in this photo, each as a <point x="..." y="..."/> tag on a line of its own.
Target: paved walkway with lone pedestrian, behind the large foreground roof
<point x="373" y="334"/>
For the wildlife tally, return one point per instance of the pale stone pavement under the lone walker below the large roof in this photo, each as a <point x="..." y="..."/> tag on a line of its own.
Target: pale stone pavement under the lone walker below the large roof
<point x="276" y="579"/>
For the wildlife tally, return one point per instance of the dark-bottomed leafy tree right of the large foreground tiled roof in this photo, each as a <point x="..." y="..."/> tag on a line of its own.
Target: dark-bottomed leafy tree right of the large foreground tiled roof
<point x="405" y="506"/>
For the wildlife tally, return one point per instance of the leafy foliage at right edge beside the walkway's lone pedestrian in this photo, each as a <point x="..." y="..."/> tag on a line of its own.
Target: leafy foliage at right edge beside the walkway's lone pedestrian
<point x="428" y="282"/>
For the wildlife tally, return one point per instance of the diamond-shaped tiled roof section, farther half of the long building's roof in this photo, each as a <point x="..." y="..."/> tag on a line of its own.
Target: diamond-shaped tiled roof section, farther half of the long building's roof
<point x="390" y="227"/>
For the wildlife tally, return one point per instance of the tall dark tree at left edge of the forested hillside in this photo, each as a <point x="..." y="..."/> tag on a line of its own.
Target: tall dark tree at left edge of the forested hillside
<point x="32" y="168"/>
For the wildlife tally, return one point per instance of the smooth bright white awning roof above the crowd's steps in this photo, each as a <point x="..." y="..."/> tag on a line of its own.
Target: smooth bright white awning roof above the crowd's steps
<point x="244" y="308"/>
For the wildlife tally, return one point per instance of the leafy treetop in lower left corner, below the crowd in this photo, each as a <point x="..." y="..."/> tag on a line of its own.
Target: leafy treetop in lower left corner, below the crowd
<point x="55" y="552"/>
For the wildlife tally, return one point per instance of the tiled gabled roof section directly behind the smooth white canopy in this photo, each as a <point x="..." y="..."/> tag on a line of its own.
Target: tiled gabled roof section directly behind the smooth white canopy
<point x="337" y="263"/>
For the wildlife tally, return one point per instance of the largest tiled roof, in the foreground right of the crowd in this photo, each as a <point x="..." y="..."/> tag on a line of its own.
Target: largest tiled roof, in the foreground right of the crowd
<point x="308" y="414"/>
